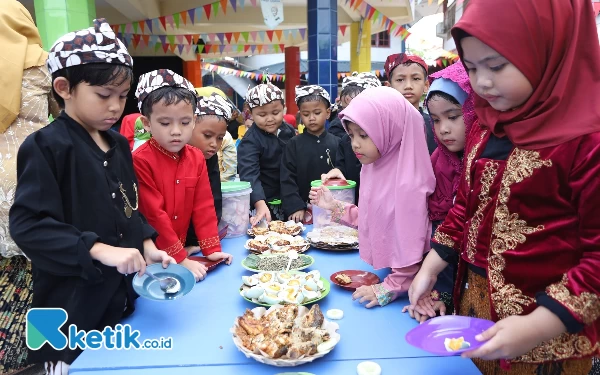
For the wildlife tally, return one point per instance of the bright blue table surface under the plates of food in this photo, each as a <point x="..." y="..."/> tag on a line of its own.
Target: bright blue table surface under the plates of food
<point x="199" y="324"/>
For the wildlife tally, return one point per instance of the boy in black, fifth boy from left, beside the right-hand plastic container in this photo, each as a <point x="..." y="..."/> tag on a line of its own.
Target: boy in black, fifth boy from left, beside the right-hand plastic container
<point x="308" y="155"/>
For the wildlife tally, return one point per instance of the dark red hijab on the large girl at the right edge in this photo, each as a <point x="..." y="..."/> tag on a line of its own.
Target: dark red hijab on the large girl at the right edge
<point x="554" y="43"/>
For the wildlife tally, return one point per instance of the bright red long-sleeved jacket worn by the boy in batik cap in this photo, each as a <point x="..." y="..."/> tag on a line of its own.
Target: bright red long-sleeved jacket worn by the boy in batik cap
<point x="174" y="189"/>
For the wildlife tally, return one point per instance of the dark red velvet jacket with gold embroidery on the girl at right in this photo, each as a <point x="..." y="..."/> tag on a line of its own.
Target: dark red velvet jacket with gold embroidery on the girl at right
<point x="533" y="222"/>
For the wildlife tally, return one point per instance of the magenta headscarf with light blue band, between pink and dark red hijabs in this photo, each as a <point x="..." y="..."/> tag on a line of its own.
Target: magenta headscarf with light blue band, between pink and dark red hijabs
<point x="447" y="166"/>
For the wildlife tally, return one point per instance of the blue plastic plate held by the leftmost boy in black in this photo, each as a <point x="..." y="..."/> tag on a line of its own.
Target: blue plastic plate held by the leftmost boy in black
<point x="149" y="288"/>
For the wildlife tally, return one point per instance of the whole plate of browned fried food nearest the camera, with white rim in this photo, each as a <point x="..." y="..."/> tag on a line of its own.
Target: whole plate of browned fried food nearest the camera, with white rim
<point x="285" y="336"/>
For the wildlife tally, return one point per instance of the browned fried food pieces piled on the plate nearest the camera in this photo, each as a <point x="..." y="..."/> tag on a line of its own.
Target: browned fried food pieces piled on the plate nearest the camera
<point x="284" y="333"/>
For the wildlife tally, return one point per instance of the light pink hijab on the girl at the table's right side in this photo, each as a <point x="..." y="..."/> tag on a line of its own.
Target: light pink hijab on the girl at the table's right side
<point x="393" y="224"/>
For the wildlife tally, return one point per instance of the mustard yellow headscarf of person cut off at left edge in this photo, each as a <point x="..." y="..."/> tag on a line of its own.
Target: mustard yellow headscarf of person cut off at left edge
<point x="21" y="47"/>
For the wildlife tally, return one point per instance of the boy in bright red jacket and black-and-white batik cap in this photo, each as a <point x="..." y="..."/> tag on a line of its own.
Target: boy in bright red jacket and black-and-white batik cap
<point x="174" y="185"/>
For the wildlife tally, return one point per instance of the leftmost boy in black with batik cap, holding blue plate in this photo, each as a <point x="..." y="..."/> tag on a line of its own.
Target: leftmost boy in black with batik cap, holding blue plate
<point x="75" y="213"/>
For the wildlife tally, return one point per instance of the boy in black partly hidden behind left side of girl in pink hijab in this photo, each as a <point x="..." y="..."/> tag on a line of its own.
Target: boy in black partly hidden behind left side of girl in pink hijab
<point x="346" y="161"/>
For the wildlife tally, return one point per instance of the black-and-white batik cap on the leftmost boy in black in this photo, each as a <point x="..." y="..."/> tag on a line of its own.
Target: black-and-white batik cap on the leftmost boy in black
<point x="97" y="44"/>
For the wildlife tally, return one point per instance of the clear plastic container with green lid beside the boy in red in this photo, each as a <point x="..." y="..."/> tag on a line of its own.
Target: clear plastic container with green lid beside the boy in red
<point x="236" y="207"/>
